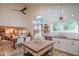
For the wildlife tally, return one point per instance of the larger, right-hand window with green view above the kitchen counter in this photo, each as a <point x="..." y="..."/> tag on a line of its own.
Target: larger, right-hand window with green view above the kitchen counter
<point x="70" y="26"/>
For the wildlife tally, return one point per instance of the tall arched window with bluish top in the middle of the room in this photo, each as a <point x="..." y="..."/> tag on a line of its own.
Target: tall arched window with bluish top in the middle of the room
<point x="37" y="24"/>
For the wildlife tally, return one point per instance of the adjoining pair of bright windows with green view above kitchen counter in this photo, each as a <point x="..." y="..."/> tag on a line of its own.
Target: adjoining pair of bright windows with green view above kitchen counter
<point x="67" y="26"/>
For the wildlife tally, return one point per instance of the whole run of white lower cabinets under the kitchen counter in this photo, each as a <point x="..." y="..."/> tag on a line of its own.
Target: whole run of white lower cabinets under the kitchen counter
<point x="69" y="46"/>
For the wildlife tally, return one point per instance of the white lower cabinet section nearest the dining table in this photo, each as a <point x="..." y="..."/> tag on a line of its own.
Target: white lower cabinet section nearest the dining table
<point x="60" y="44"/>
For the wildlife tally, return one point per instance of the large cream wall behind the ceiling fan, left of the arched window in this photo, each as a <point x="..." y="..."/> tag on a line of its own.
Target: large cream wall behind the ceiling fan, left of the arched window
<point x="9" y="17"/>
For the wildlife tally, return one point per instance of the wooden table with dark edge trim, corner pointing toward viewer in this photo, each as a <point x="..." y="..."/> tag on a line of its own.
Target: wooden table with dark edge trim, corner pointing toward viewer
<point x="38" y="47"/>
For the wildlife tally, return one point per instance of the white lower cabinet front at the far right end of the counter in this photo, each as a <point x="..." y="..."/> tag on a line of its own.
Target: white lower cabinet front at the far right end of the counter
<point x="73" y="47"/>
